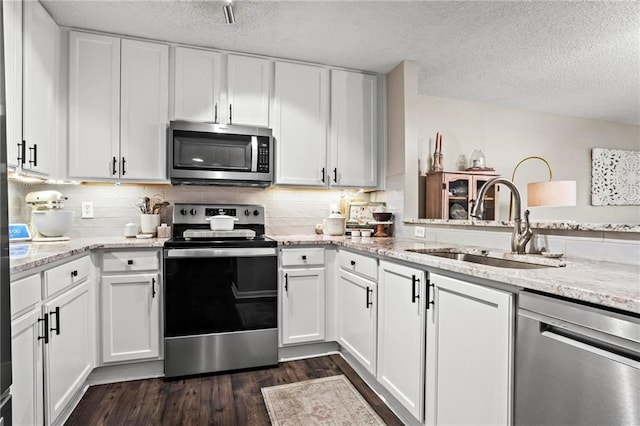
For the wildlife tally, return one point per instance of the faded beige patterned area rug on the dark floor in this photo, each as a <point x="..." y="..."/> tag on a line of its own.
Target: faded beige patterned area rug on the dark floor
<point x="326" y="401"/>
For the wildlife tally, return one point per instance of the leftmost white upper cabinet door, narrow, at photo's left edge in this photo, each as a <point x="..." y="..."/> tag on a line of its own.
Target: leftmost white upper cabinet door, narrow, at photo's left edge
<point x="12" y="20"/>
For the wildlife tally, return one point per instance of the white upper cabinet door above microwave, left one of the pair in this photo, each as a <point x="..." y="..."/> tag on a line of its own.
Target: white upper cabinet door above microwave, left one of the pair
<point x="197" y="85"/>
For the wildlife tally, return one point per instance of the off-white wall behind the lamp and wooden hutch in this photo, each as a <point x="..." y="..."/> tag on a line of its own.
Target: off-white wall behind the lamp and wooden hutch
<point x="507" y="135"/>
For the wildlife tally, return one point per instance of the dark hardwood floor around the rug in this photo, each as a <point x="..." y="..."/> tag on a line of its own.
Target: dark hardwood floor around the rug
<point x="220" y="399"/>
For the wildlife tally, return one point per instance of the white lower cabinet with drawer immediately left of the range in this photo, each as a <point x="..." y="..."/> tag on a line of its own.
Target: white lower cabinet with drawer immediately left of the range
<point x="130" y="301"/>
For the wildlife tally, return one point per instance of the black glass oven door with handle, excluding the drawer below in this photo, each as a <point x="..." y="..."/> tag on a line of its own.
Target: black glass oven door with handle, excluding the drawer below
<point x="220" y="290"/>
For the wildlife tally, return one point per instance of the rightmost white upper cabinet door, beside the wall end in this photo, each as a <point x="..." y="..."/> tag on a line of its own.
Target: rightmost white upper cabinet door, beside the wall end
<point x="354" y="136"/>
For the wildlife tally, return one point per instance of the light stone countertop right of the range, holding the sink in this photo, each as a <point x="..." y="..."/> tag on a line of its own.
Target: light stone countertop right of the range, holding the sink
<point x="608" y="284"/>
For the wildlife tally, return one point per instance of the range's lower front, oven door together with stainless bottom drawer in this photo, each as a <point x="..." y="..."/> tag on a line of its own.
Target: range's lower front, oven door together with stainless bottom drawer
<point x="220" y="309"/>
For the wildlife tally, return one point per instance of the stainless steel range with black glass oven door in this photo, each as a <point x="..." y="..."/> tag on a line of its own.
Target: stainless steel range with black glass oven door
<point x="220" y="292"/>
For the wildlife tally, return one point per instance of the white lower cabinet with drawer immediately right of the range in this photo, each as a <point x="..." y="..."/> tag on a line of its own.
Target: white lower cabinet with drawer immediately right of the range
<point x="302" y="292"/>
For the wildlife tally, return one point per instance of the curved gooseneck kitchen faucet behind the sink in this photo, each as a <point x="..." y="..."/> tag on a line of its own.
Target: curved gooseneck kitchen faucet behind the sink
<point x="522" y="233"/>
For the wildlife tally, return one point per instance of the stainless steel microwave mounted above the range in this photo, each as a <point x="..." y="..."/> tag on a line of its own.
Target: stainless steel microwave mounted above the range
<point x="216" y="154"/>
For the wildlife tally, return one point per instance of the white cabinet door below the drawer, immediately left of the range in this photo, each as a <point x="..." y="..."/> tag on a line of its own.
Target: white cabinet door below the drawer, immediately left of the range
<point x="130" y="317"/>
